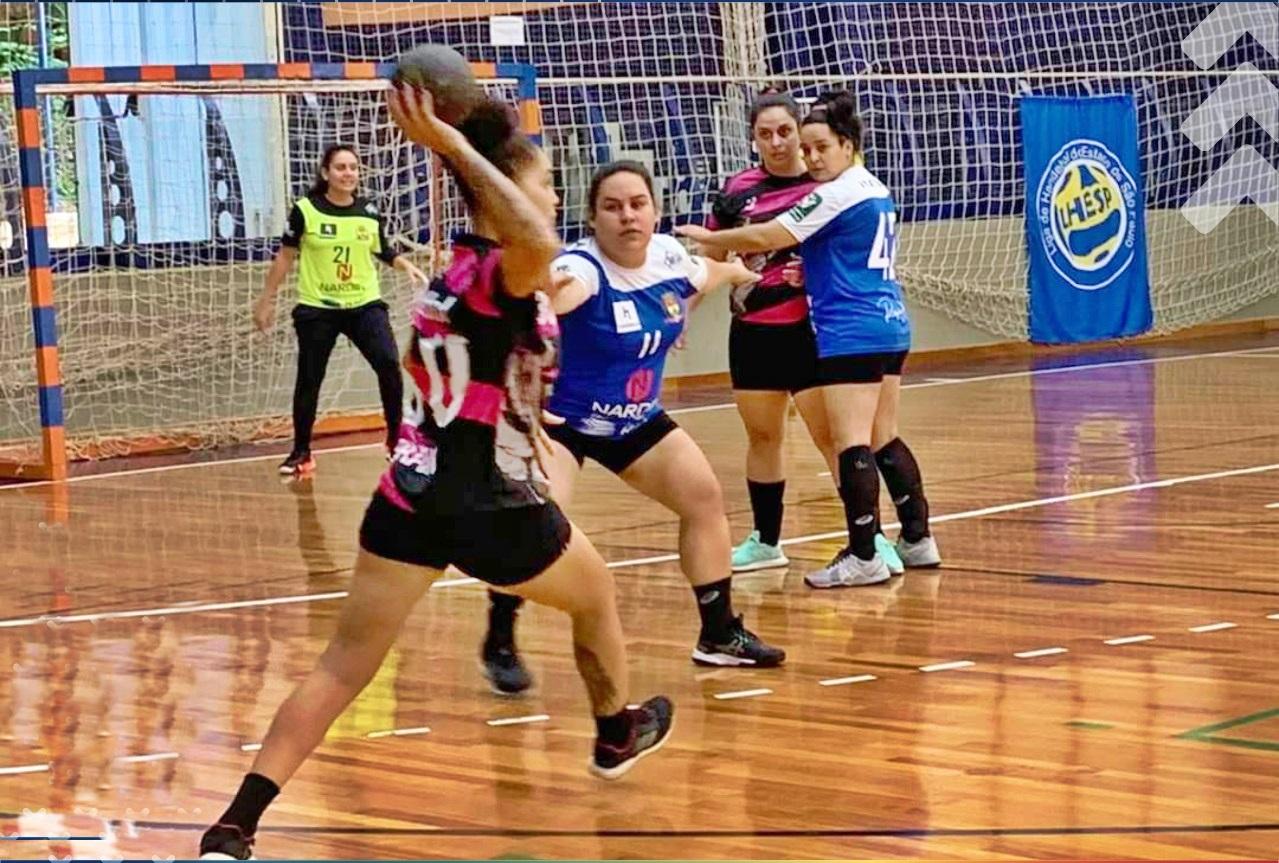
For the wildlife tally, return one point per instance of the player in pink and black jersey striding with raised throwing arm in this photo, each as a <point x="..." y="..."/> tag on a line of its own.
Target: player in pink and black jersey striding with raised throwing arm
<point x="466" y="485"/>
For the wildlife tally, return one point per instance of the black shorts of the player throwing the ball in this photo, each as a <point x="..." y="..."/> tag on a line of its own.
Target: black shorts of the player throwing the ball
<point x="502" y="547"/>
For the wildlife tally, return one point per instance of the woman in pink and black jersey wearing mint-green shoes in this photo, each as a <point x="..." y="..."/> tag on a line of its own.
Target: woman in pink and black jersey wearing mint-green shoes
<point x="772" y="350"/>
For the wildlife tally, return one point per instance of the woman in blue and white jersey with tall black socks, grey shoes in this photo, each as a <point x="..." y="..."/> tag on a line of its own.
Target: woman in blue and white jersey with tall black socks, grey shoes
<point x="847" y="236"/>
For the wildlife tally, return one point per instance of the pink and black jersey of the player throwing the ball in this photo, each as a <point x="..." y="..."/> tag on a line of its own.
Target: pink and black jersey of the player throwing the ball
<point x="480" y="362"/>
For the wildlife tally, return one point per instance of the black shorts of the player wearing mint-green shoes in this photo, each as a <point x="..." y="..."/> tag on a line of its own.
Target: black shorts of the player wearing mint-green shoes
<point x="774" y="357"/>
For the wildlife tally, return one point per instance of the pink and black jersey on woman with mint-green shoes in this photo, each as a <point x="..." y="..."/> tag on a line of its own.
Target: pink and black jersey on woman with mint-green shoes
<point x="757" y="196"/>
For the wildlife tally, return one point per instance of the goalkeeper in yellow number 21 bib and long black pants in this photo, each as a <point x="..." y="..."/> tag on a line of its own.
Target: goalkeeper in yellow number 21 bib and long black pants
<point x="337" y="235"/>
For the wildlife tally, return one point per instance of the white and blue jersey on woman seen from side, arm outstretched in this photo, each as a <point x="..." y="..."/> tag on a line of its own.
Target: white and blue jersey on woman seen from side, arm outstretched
<point x="847" y="232"/>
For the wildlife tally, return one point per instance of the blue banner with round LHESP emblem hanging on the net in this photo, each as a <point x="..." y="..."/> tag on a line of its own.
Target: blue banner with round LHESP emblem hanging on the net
<point x="1085" y="219"/>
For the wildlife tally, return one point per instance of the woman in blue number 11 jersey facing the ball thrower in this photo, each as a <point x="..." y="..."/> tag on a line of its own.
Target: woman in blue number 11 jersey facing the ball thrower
<point x="622" y="299"/>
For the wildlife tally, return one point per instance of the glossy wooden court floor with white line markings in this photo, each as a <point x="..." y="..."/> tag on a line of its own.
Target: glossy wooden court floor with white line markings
<point x="1103" y="640"/>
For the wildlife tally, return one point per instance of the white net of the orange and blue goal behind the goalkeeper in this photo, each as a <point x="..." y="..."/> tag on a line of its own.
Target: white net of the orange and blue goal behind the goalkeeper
<point x="161" y="246"/>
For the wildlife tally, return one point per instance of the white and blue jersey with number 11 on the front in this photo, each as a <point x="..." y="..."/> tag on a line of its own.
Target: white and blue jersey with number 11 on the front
<point x="613" y="347"/>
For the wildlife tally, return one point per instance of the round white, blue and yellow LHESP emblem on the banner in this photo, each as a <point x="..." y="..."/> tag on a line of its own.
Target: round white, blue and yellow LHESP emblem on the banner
<point x="1084" y="210"/>
